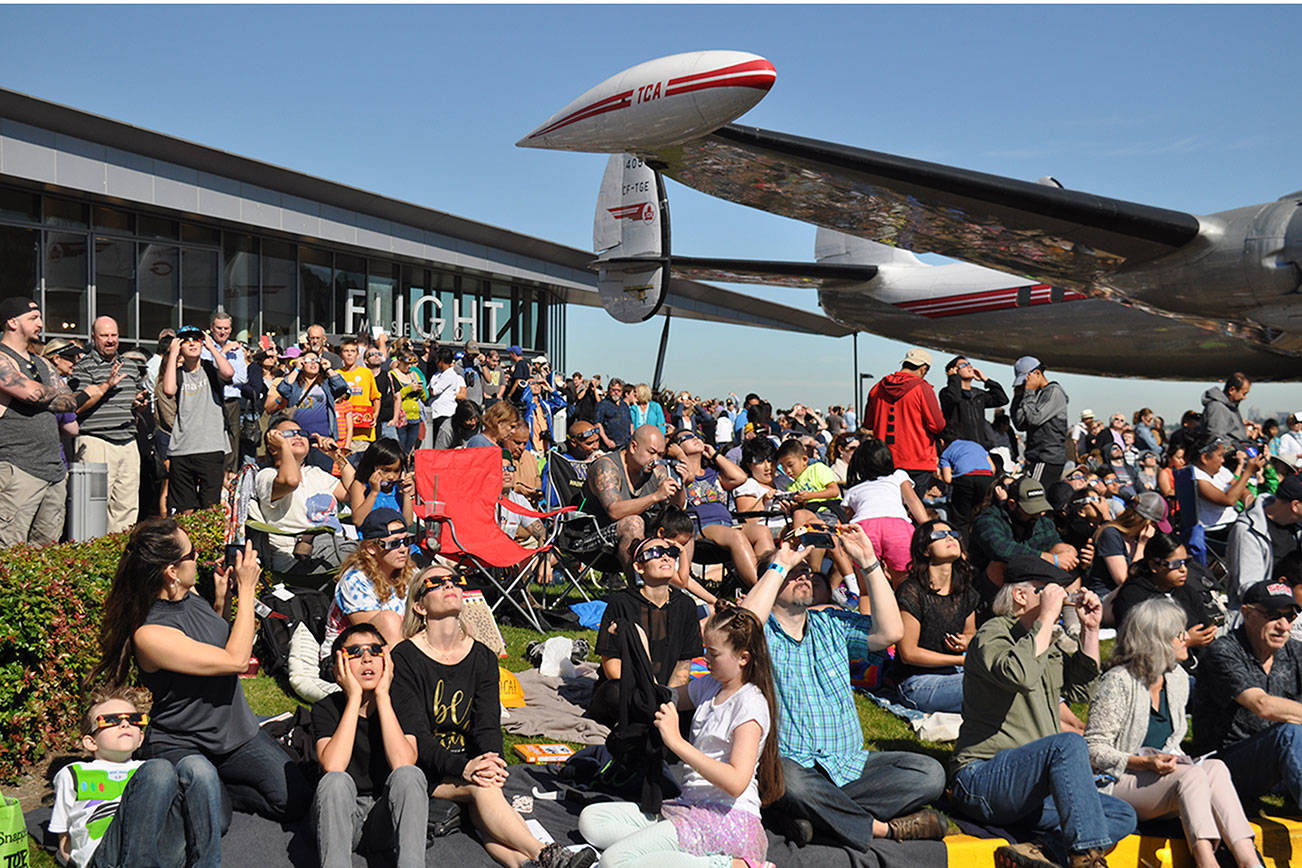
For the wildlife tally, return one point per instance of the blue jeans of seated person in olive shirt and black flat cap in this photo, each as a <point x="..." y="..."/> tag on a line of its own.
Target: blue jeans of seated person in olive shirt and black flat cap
<point x="1049" y="785"/>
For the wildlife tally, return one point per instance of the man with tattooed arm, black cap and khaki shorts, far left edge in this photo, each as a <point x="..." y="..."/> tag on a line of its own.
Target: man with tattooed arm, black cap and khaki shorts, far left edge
<point x="33" y="481"/>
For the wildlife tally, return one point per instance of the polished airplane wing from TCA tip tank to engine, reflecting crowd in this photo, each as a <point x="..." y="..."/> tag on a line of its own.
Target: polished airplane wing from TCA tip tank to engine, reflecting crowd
<point x="1066" y="237"/>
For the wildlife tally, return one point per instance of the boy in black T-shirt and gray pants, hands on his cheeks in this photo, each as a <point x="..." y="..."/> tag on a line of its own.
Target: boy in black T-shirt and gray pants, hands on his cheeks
<point x="372" y="784"/>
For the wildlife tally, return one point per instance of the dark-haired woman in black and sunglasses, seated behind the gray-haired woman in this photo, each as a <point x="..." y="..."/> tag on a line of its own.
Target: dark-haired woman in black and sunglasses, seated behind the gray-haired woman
<point x="1167" y="572"/>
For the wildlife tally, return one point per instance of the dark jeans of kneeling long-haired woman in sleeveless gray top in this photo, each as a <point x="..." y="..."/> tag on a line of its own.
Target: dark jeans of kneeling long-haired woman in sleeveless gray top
<point x="260" y="779"/>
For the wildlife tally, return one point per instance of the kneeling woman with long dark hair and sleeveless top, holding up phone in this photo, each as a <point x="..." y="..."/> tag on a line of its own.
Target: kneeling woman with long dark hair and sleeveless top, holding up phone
<point x="191" y="659"/>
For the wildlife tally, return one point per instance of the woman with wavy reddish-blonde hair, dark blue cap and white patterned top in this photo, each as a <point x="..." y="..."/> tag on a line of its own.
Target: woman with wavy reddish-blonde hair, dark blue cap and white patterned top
<point x="373" y="581"/>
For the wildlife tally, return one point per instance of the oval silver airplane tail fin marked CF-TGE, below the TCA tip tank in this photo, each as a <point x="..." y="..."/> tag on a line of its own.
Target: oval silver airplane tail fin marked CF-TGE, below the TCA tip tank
<point x="631" y="236"/>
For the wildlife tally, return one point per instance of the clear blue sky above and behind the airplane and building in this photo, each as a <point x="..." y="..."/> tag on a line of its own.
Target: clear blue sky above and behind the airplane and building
<point x="1184" y="107"/>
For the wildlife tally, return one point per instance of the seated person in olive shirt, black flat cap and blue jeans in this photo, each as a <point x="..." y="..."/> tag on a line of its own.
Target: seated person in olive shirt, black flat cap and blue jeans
<point x="1012" y="763"/>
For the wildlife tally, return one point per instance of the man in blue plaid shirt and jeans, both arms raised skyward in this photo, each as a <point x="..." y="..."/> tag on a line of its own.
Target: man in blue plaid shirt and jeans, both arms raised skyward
<point x="837" y="789"/>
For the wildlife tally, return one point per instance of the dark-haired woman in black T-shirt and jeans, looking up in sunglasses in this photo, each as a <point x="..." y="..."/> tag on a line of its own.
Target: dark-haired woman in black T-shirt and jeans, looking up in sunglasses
<point x="938" y="607"/>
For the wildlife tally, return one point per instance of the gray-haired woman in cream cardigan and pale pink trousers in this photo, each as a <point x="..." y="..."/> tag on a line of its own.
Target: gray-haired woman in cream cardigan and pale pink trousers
<point x="1137" y="723"/>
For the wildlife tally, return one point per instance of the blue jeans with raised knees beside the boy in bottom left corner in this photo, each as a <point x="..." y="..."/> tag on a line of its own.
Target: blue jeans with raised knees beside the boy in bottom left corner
<point x="170" y="817"/>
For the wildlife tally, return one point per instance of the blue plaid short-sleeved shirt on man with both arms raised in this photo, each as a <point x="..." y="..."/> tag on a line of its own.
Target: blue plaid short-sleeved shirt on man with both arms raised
<point x="817" y="720"/>
